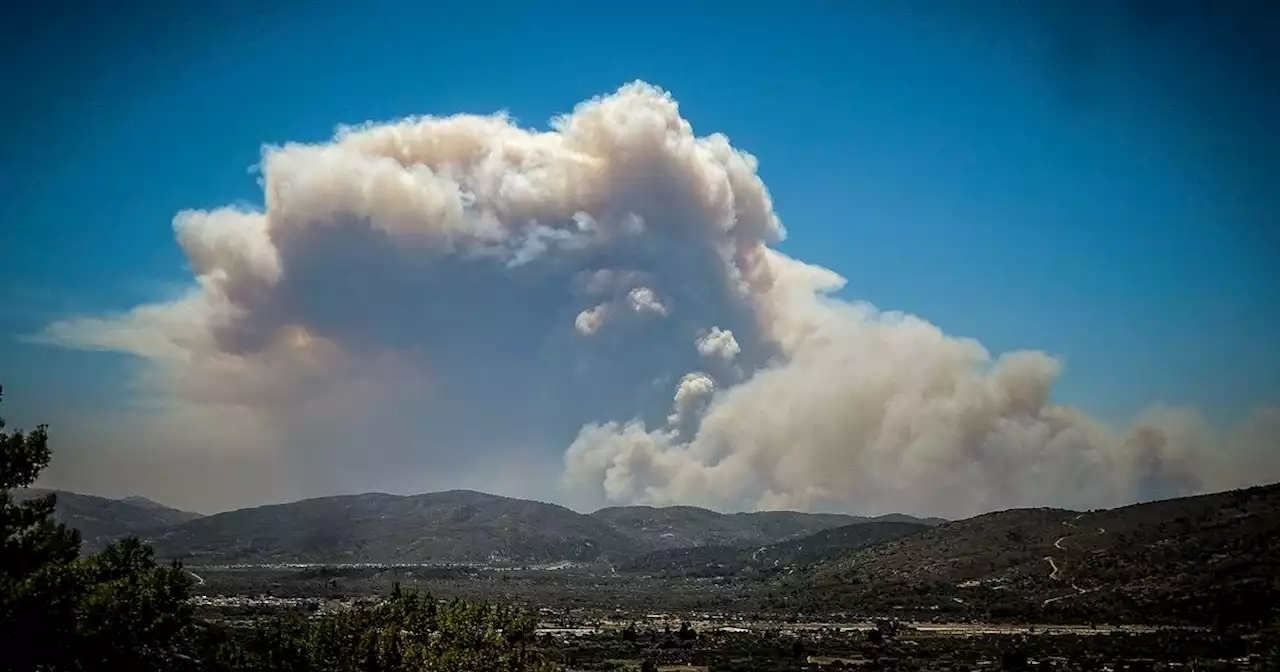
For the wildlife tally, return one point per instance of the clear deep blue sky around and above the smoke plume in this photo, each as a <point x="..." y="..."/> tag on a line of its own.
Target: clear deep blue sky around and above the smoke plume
<point x="1095" y="180"/>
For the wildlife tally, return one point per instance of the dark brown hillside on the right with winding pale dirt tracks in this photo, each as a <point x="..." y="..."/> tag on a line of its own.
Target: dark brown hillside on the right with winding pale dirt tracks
<point x="1185" y="560"/>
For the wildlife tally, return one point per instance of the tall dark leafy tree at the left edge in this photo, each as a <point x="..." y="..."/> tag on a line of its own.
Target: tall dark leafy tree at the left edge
<point x="112" y="611"/>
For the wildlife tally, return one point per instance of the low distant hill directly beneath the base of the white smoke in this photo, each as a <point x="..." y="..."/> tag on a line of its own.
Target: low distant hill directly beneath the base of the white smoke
<point x="670" y="528"/>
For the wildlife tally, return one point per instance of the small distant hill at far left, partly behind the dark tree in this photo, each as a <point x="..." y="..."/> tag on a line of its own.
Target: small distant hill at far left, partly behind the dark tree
<point x="102" y="520"/>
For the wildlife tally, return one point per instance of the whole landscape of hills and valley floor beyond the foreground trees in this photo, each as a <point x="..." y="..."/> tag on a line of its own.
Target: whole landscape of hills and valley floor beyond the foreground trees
<point x="683" y="589"/>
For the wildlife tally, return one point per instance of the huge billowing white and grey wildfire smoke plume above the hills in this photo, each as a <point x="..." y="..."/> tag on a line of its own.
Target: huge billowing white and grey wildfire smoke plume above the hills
<point x="428" y="301"/>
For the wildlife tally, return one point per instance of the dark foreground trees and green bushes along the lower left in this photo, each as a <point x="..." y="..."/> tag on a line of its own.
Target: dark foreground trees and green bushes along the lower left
<point x="120" y="610"/>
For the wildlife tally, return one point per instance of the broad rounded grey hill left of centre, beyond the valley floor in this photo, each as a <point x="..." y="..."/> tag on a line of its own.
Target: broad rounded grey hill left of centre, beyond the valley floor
<point x="452" y="527"/>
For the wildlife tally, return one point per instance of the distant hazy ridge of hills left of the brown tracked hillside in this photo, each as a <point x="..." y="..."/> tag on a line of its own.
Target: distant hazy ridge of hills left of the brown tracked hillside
<point x="449" y="527"/>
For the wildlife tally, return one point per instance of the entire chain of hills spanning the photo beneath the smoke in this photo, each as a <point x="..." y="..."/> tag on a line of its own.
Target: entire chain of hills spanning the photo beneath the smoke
<point x="1197" y="560"/>
